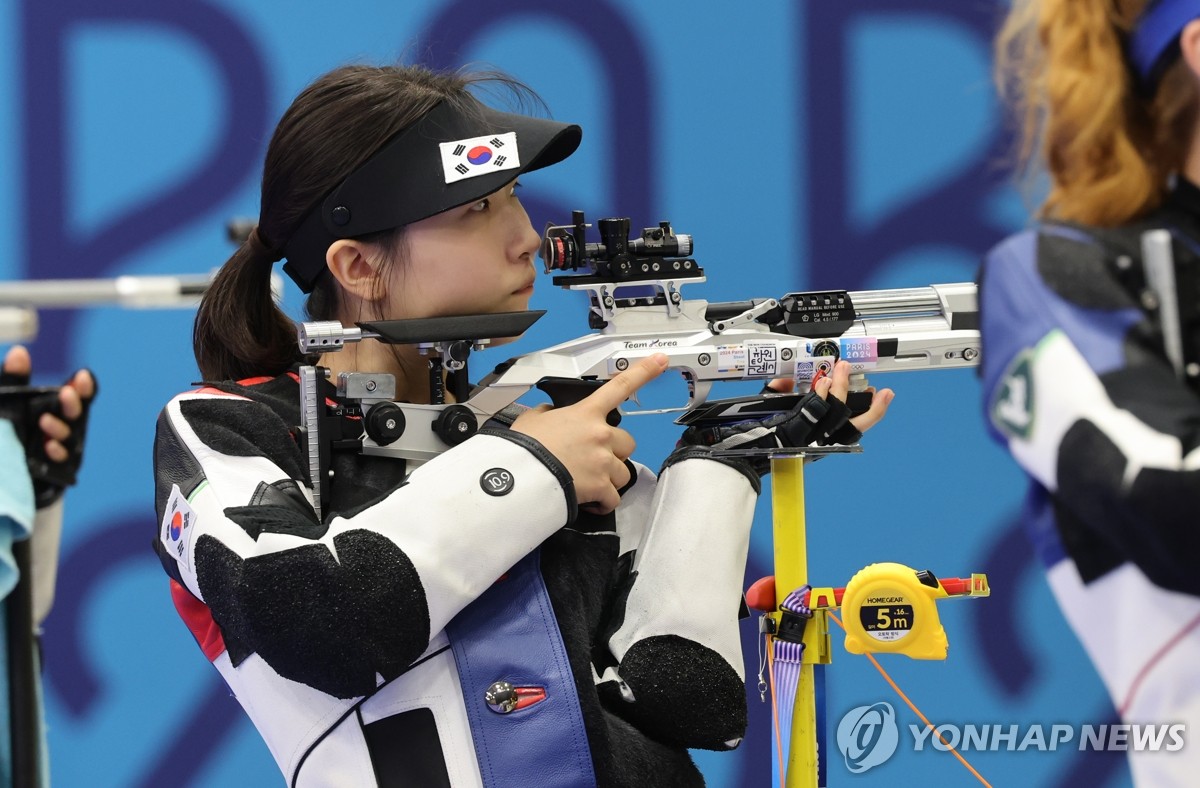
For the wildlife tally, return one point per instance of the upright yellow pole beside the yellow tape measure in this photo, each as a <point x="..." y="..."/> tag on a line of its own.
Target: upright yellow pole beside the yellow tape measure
<point x="791" y="573"/>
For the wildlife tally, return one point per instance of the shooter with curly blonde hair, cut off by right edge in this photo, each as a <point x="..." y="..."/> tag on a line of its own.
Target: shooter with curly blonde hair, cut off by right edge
<point x="1078" y="378"/>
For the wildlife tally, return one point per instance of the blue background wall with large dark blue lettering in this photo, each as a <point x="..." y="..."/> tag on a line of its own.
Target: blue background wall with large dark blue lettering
<point x="848" y="145"/>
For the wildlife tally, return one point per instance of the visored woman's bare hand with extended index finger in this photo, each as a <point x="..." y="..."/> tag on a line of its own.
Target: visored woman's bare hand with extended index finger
<point x="580" y="437"/>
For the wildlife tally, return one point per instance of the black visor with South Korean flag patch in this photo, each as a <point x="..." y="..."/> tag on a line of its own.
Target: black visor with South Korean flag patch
<point x="447" y="159"/>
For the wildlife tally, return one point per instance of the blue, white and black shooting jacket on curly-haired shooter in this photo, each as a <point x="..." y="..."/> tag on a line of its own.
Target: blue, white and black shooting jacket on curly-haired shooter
<point x="1079" y="389"/>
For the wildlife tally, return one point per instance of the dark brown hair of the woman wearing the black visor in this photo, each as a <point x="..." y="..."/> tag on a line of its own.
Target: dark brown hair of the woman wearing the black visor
<point x="331" y="130"/>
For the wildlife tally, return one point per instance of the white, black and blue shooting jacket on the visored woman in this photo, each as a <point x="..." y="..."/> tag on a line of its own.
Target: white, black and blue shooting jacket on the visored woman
<point x="345" y="637"/>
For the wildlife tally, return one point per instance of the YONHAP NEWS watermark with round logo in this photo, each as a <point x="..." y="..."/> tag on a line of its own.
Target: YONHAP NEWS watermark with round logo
<point x="871" y="735"/>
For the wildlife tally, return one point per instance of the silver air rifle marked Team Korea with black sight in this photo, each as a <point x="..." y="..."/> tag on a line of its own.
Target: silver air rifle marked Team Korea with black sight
<point x="637" y="309"/>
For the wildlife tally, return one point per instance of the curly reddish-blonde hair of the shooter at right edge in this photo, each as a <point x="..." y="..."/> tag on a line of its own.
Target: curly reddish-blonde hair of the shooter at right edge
<point x="1108" y="149"/>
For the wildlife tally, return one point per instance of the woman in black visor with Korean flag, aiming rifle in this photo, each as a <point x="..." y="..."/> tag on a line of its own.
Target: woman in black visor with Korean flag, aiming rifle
<point x="575" y="625"/>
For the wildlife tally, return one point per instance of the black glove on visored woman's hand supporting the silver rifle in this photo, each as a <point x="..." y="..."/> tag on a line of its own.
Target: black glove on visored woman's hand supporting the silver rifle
<point x="813" y="420"/>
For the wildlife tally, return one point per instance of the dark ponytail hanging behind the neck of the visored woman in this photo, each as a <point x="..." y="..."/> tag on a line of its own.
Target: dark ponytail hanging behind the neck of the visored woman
<point x="239" y="330"/>
